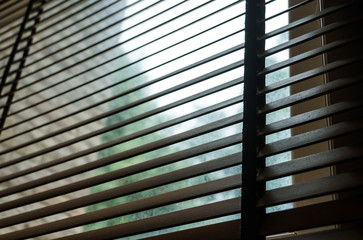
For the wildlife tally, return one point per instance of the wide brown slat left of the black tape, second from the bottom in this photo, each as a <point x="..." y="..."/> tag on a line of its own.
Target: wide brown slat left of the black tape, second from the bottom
<point x="190" y="215"/>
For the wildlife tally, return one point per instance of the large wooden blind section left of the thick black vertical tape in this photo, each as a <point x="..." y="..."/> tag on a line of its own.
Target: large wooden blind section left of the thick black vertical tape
<point x="123" y="118"/>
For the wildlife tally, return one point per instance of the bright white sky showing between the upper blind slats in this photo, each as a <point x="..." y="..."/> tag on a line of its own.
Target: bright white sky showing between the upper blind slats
<point x="210" y="36"/>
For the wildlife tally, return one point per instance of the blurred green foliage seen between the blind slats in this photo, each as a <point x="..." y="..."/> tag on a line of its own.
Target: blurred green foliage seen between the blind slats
<point x="123" y="131"/>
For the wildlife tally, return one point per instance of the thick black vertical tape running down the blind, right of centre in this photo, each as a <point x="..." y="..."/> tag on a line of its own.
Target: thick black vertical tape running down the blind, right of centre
<point x="251" y="166"/>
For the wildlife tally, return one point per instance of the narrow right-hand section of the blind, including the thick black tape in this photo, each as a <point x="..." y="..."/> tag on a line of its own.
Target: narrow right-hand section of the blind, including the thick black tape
<point x="324" y="62"/>
